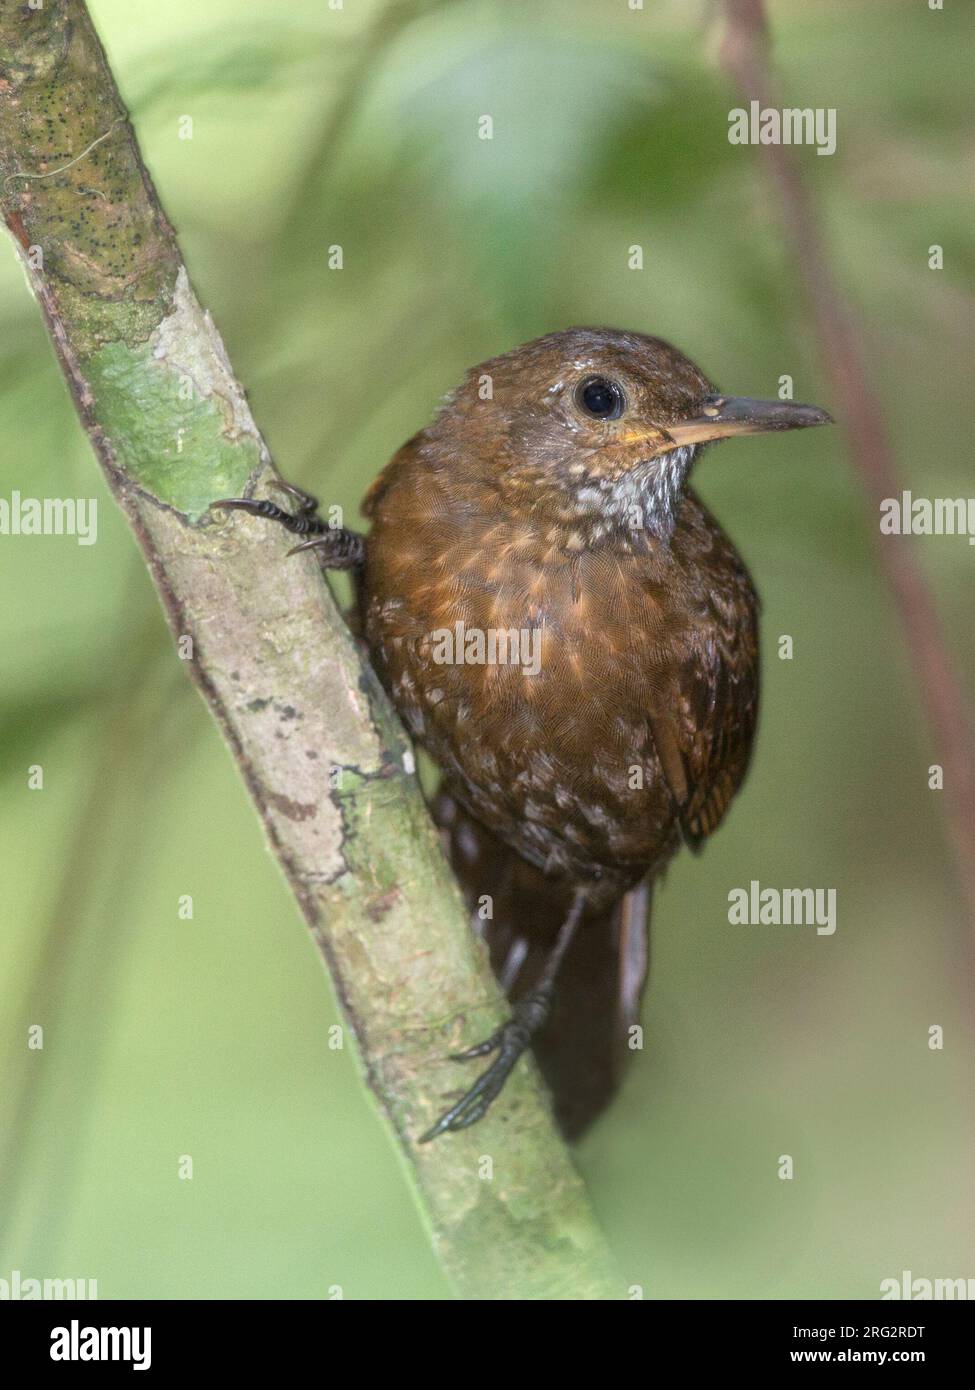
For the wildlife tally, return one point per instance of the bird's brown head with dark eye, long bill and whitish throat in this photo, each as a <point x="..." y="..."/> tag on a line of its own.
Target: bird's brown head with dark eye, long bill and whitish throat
<point x="597" y="429"/>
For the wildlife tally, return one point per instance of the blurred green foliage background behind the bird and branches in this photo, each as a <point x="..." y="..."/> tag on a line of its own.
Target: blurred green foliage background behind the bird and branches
<point x="208" y="1038"/>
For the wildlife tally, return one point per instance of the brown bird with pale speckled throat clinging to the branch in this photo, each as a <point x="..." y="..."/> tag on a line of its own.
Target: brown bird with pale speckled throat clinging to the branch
<point x="575" y="640"/>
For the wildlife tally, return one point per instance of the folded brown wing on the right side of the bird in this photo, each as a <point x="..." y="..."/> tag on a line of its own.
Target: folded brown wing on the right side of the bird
<point x="704" y="733"/>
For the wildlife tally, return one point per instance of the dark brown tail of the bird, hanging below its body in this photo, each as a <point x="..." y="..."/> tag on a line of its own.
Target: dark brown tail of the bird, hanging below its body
<point x="588" y="1042"/>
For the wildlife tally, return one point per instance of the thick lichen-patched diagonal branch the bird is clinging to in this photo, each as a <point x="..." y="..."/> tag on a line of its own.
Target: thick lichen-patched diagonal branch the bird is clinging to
<point x="316" y="742"/>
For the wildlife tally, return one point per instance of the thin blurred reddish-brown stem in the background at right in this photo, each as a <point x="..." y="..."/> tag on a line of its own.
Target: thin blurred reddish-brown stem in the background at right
<point x="746" y="56"/>
